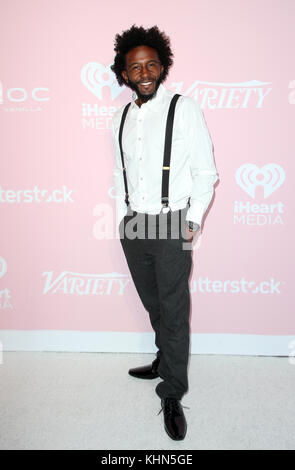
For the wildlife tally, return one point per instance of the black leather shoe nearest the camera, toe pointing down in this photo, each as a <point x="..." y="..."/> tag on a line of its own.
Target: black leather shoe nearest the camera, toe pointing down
<point x="174" y="419"/>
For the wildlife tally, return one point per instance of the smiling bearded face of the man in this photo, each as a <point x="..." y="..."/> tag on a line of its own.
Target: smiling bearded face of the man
<point x="143" y="72"/>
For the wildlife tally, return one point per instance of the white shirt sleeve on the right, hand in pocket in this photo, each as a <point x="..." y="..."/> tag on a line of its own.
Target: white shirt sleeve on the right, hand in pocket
<point x="203" y="170"/>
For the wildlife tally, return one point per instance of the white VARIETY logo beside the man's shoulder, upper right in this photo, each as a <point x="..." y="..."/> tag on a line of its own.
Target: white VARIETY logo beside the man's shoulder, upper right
<point x="221" y="95"/>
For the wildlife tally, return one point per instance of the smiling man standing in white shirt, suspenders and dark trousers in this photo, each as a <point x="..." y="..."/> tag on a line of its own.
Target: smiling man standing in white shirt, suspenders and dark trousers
<point x="160" y="267"/>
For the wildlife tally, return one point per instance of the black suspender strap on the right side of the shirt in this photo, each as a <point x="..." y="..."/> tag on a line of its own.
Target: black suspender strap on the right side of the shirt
<point x="167" y="152"/>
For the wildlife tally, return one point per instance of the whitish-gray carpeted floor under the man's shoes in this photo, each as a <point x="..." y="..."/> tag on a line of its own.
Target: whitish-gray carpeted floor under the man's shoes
<point x="88" y="401"/>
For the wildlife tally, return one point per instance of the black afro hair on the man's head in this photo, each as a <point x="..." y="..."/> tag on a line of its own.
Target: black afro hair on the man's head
<point x="139" y="36"/>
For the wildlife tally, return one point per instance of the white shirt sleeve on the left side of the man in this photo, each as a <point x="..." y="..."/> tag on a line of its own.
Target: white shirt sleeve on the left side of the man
<point x="121" y="206"/>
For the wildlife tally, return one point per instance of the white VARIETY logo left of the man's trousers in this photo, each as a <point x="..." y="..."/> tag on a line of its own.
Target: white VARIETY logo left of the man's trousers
<point x="85" y="284"/>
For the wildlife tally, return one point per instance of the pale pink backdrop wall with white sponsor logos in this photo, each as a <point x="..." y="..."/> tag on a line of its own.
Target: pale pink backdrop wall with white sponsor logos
<point x="57" y="97"/>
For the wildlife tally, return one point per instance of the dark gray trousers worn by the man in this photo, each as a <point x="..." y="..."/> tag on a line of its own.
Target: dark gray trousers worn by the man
<point x="159" y="260"/>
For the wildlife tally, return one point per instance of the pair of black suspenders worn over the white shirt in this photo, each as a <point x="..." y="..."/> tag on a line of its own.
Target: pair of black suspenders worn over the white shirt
<point x="167" y="151"/>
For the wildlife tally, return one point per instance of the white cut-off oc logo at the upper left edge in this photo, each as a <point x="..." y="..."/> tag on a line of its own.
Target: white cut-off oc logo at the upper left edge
<point x="15" y="96"/>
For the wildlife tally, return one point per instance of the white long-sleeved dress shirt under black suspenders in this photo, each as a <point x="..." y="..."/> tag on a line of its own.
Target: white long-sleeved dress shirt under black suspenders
<point x="192" y="169"/>
